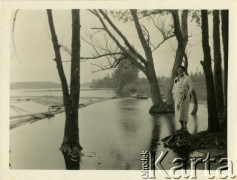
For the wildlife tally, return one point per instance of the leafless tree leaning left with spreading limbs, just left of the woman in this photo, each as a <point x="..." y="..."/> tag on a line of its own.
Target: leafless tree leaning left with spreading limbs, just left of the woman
<point x="144" y="63"/>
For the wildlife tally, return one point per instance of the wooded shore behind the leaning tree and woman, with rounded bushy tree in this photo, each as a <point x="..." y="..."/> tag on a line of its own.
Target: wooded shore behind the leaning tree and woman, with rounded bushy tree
<point x="135" y="85"/>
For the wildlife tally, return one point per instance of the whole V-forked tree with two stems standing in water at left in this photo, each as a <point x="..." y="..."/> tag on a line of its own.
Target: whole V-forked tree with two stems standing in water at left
<point x="70" y="146"/>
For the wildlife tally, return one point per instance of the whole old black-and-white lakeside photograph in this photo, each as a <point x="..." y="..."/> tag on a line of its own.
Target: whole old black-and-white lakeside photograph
<point x="105" y="89"/>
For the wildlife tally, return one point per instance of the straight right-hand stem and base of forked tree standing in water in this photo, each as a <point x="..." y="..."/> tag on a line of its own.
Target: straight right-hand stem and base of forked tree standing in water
<point x="70" y="144"/>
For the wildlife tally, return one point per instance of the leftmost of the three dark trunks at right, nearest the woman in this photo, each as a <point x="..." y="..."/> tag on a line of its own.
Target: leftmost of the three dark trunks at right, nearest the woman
<point x="213" y="121"/>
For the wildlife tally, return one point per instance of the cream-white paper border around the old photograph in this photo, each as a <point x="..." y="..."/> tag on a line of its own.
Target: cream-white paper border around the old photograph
<point x="7" y="6"/>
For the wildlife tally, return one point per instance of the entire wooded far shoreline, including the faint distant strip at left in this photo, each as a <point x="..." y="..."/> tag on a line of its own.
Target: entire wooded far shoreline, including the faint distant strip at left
<point x="126" y="87"/>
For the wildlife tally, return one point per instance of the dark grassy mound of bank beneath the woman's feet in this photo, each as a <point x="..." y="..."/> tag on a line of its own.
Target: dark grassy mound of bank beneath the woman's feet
<point x="198" y="145"/>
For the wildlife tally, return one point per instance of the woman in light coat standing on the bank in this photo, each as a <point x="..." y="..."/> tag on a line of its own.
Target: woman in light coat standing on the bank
<point x="182" y="90"/>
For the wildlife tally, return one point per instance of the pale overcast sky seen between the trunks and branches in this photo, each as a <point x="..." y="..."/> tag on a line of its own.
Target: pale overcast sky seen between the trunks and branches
<point x="35" y="51"/>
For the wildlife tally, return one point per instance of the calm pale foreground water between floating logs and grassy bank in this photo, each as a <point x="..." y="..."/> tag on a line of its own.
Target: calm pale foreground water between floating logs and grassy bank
<point x="113" y="133"/>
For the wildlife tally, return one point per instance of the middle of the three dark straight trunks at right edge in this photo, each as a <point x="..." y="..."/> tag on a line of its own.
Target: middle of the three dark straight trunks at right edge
<point x="217" y="65"/>
